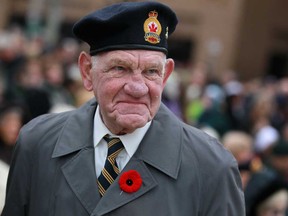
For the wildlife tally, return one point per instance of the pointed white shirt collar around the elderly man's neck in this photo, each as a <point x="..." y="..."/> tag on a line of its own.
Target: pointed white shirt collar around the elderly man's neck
<point x="130" y="141"/>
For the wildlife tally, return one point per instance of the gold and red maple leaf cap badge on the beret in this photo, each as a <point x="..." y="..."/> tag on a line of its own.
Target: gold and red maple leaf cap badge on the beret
<point x="152" y="28"/>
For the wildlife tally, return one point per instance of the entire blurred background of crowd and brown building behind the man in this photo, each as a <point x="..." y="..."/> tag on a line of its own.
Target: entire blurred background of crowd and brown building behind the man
<point x="230" y="80"/>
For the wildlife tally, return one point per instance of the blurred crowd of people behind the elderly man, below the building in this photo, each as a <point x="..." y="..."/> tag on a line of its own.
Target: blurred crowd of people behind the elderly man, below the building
<point x="249" y="117"/>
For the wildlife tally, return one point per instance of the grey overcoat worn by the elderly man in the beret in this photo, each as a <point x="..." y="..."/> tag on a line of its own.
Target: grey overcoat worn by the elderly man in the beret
<point x="184" y="171"/>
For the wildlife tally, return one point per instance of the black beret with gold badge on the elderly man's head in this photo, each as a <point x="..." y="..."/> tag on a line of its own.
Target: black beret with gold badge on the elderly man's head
<point x="127" y="25"/>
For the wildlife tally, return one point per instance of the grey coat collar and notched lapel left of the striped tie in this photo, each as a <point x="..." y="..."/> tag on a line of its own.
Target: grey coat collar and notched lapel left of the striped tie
<point x="77" y="138"/>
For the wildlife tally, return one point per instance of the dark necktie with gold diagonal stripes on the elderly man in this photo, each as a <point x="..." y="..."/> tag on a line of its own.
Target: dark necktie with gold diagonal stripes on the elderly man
<point x="110" y="170"/>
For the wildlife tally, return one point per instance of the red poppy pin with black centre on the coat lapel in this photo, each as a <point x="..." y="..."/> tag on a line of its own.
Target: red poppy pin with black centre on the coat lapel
<point x="130" y="181"/>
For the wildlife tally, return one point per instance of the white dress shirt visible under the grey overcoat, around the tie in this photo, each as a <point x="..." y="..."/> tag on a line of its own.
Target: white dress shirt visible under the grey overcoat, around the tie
<point x="130" y="142"/>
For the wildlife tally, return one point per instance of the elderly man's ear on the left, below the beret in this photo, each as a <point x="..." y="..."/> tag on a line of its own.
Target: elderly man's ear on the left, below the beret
<point x="85" y="65"/>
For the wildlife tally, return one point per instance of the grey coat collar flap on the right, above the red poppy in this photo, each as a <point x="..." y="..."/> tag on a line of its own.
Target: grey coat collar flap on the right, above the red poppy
<point x="161" y="146"/>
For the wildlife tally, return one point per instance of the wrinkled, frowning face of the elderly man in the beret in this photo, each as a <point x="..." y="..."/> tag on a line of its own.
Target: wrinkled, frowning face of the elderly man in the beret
<point x="128" y="86"/>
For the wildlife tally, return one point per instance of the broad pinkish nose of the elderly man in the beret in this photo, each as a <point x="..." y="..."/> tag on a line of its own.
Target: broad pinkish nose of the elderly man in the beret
<point x="136" y="86"/>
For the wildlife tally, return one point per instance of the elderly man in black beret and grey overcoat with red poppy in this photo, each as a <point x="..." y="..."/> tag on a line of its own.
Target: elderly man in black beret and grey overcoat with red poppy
<point x="123" y="153"/>
